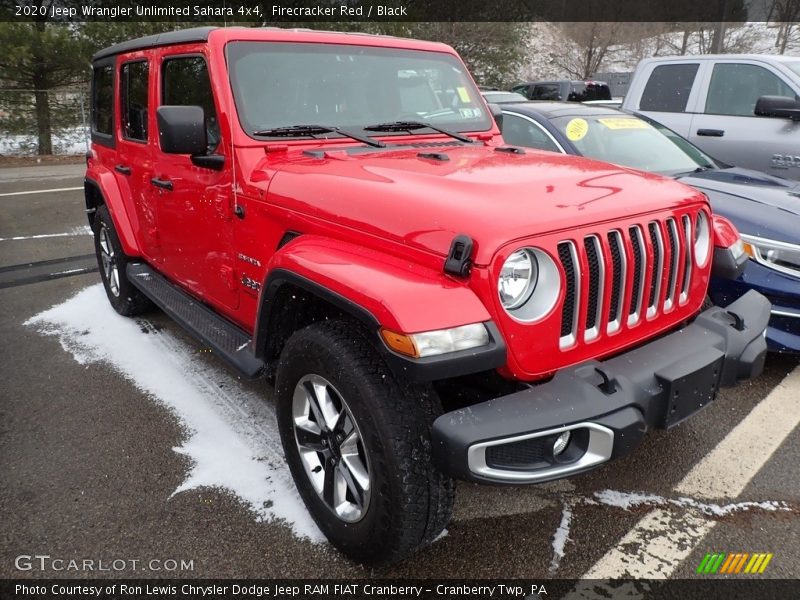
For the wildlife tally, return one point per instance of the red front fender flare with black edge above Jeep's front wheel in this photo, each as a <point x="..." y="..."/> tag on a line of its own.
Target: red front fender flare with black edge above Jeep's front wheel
<point x="313" y="279"/>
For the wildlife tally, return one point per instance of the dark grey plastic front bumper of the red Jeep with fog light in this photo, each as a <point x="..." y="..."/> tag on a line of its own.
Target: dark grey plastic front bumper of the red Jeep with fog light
<point x="606" y="406"/>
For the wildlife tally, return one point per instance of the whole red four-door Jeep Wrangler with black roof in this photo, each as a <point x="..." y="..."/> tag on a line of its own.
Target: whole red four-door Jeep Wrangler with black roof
<point x="339" y="212"/>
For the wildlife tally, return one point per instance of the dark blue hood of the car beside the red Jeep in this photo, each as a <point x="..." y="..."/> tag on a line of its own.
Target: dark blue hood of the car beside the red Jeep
<point x="757" y="203"/>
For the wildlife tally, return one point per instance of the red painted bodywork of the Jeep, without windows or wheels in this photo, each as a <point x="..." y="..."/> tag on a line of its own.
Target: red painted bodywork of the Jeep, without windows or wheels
<point x="376" y="226"/>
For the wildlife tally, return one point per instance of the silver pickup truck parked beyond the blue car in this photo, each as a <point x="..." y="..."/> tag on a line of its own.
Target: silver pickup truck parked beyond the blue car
<point x="741" y="109"/>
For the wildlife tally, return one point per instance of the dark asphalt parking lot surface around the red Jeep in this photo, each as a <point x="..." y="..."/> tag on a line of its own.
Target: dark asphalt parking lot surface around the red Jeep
<point x="89" y="470"/>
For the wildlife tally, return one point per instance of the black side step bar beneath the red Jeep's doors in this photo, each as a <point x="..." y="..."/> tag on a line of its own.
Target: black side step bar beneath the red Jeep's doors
<point x="228" y="341"/>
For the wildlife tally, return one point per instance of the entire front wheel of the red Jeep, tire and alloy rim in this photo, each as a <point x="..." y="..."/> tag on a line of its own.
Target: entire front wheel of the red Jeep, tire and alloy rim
<point x="358" y="445"/>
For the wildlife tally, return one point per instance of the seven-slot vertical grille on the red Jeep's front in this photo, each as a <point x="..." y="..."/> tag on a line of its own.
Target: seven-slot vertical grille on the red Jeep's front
<point x="619" y="265"/>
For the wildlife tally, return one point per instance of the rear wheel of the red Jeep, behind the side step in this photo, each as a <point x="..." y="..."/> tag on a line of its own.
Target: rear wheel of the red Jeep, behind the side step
<point x="126" y="299"/>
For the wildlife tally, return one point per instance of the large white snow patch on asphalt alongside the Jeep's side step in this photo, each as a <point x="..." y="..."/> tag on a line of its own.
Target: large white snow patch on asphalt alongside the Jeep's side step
<point x="231" y="438"/>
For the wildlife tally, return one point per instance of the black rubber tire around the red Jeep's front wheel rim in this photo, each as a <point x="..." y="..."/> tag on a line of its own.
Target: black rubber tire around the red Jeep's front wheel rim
<point x="410" y="502"/>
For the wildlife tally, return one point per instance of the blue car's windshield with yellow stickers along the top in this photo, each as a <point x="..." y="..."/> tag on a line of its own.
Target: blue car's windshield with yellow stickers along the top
<point x="632" y="142"/>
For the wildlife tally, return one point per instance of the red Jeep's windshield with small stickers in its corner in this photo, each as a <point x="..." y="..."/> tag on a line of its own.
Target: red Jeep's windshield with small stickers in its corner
<point x="285" y="84"/>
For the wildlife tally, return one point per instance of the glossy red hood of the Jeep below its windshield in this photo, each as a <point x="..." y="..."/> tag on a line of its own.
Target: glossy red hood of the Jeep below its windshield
<point x="425" y="200"/>
